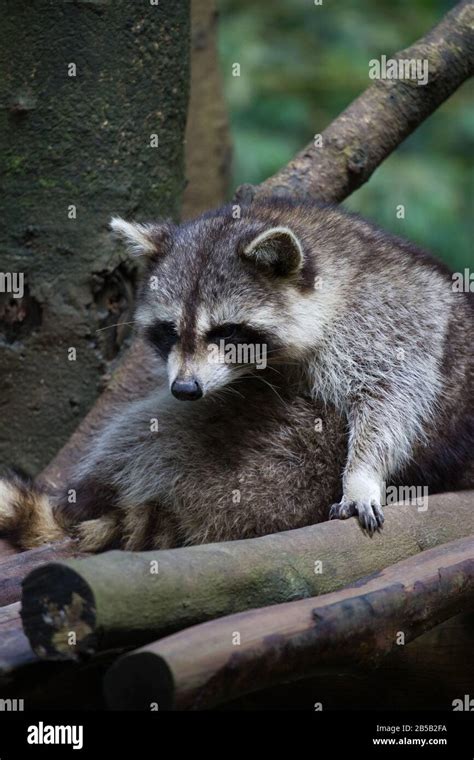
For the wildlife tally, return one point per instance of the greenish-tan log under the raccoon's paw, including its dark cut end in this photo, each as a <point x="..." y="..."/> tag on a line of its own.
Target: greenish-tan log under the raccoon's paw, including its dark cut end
<point x="125" y="598"/>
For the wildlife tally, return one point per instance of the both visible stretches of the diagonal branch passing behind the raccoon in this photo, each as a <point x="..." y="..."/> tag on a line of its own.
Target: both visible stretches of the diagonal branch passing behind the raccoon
<point x="354" y="145"/>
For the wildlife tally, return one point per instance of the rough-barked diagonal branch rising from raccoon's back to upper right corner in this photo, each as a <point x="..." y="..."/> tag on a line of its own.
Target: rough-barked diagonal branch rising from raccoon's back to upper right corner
<point x="357" y="142"/>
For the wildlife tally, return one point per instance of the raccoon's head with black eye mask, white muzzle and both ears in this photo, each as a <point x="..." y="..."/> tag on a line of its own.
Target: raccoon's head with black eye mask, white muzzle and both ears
<point x="221" y="298"/>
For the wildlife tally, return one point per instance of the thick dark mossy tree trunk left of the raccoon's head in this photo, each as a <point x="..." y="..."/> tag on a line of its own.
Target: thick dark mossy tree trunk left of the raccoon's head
<point x="93" y="101"/>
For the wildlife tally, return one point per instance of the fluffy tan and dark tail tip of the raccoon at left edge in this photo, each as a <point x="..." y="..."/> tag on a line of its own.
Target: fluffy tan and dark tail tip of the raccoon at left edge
<point x="26" y="514"/>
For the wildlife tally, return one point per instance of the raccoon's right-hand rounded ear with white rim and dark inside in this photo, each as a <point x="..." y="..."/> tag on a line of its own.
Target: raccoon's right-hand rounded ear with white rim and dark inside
<point x="277" y="250"/>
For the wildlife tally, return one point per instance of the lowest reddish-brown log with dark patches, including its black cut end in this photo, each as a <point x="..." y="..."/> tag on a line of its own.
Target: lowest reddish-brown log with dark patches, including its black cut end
<point x="211" y="663"/>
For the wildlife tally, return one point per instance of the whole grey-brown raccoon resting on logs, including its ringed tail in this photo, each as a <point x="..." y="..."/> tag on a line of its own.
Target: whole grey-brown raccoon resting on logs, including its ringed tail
<point x="368" y="380"/>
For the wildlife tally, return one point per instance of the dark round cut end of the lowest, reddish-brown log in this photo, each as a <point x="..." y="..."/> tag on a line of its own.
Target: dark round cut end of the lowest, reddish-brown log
<point x="142" y="681"/>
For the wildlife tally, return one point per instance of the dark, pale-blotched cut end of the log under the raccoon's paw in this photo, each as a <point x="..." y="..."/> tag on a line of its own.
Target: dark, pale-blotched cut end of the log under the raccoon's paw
<point x="63" y="625"/>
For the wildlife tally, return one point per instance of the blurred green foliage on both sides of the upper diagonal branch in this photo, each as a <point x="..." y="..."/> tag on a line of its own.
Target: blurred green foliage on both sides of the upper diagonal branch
<point x="302" y="64"/>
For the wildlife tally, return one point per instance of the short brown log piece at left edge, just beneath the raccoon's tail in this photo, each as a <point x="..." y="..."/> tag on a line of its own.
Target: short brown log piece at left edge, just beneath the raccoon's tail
<point x="14" y="568"/>
